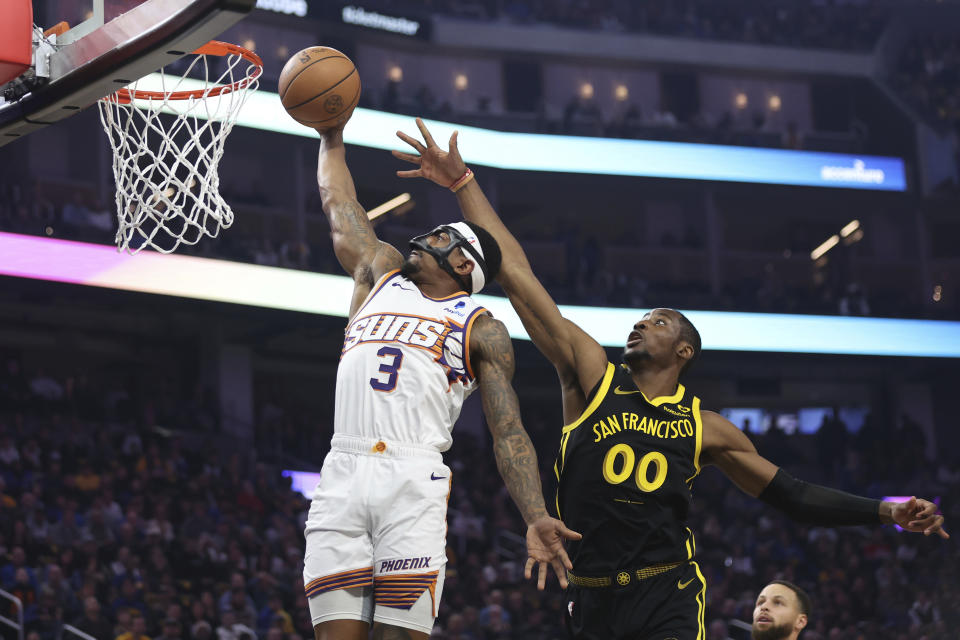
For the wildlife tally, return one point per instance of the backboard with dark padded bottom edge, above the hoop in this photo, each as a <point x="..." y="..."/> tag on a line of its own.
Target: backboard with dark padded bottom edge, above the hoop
<point x="136" y="43"/>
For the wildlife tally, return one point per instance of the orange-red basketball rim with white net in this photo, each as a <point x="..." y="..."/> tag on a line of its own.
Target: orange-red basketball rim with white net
<point x="166" y="167"/>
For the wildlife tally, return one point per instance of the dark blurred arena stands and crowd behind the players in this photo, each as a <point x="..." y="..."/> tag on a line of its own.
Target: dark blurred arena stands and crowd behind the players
<point x="144" y="438"/>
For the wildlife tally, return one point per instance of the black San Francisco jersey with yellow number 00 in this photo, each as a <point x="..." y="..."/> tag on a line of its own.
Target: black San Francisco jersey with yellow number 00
<point x="624" y="474"/>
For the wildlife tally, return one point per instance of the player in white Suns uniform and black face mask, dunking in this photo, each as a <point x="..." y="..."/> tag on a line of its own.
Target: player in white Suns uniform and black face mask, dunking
<point x="416" y="345"/>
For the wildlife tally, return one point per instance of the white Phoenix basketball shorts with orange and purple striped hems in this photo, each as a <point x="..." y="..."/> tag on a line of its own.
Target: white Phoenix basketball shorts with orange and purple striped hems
<point x="378" y="519"/>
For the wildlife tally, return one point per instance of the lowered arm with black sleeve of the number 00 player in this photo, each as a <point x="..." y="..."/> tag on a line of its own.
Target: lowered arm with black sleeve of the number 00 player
<point x="725" y="446"/>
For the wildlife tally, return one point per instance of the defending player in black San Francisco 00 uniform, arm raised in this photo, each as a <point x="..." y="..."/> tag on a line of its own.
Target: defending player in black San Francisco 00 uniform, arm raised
<point x="634" y="440"/>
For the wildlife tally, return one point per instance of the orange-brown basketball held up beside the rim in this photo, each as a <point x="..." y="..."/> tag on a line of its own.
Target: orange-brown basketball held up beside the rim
<point x="319" y="87"/>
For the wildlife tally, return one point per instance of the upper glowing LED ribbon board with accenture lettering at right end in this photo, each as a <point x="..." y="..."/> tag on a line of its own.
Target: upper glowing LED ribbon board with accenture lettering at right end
<point x="605" y="156"/>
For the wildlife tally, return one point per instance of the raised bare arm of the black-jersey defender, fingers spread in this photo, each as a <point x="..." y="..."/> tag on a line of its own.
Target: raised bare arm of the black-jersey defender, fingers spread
<point x="574" y="353"/>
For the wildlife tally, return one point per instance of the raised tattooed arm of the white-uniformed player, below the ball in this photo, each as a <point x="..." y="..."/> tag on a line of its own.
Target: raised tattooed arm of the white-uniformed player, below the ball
<point x="358" y="250"/>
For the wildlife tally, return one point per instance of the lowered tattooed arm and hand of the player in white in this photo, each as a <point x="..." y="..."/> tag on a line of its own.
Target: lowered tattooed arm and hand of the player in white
<point x="491" y="353"/>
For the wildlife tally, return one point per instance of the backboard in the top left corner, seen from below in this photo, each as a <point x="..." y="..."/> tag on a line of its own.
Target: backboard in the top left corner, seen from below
<point x="110" y="44"/>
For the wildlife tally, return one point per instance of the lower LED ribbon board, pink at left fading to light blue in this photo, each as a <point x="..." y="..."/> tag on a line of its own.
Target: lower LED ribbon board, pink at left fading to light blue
<point x="275" y="288"/>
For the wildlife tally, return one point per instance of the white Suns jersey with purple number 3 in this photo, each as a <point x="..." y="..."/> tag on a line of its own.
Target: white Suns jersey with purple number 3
<point x="405" y="369"/>
